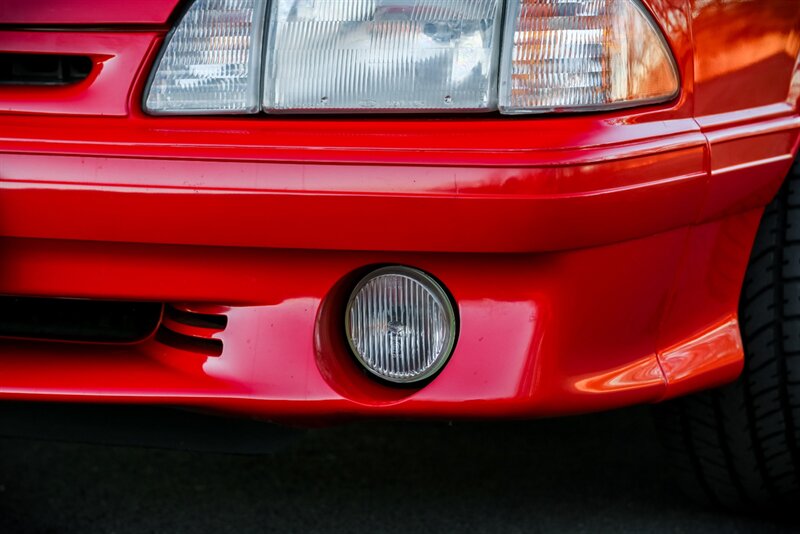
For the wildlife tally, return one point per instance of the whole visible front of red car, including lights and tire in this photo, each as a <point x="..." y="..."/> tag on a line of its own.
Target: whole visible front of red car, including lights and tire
<point x="304" y="210"/>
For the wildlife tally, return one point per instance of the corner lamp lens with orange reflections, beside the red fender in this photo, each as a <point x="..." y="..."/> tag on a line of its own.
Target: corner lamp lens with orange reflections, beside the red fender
<point x="578" y="55"/>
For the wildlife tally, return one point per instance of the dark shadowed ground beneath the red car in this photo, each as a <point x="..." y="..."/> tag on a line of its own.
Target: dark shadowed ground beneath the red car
<point x="598" y="473"/>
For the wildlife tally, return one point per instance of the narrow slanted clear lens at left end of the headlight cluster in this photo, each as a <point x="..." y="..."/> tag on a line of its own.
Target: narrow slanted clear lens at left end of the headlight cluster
<point x="211" y="62"/>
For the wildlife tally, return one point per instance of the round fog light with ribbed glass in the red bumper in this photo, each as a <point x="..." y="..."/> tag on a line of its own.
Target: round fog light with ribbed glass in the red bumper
<point x="400" y="324"/>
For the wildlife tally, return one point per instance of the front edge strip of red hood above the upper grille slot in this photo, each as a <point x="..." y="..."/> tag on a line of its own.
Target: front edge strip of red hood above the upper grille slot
<point x="85" y="12"/>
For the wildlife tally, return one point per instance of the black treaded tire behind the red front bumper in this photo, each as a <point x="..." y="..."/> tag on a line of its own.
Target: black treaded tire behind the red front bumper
<point x="739" y="446"/>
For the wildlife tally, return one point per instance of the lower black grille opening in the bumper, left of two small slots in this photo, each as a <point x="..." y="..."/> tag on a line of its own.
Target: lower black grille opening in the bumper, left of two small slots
<point x="78" y="320"/>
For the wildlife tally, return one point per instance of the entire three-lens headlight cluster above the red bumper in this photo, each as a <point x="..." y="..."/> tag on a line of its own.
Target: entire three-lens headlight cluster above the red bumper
<point x="344" y="56"/>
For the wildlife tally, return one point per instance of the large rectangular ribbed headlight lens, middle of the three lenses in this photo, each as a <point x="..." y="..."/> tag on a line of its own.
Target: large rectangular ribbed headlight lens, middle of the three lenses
<point x="382" y="55"/>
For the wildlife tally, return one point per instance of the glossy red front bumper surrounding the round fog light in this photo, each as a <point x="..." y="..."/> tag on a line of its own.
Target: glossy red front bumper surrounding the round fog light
<point x="570" y="298"/>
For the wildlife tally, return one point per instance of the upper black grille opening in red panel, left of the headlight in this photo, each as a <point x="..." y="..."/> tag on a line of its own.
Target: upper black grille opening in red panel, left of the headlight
<point x="43" y="69"/>
